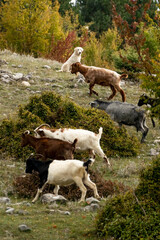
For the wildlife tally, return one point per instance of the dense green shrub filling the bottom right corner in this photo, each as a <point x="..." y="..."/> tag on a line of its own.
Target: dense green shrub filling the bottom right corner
<point x="136" y="214"/>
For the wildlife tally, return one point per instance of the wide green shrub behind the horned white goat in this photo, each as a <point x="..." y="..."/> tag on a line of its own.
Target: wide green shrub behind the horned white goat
<point x="61" y="112"/>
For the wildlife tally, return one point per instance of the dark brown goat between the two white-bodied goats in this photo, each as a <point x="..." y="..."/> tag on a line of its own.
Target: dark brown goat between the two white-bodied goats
<point x="49" y="148"/>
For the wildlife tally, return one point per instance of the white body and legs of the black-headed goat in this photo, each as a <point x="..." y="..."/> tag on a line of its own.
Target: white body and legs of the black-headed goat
<point x="64" y="173"/>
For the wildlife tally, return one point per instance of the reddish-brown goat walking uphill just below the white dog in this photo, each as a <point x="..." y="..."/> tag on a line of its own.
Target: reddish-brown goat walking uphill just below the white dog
<point x="100" y="76"/>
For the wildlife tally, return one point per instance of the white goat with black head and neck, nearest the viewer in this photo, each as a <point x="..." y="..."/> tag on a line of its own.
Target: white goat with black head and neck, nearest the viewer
<point x="62" y="173"/>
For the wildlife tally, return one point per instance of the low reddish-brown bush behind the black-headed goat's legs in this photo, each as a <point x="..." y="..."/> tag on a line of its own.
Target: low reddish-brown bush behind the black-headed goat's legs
<point x="27" y="185"/>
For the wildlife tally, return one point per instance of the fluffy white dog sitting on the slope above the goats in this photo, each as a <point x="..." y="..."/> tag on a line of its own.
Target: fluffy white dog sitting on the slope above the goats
<point x="75" y="57"/>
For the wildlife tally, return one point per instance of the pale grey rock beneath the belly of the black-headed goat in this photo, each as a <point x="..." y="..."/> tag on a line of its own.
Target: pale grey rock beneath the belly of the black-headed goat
<point x="50" y="198"/>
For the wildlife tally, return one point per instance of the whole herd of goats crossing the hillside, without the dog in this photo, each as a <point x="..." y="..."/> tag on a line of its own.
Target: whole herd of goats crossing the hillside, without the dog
<point x="60" y="144"/>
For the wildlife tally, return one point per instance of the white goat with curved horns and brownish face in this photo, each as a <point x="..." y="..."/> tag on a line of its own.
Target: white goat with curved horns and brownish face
<point x="87" y="140"/>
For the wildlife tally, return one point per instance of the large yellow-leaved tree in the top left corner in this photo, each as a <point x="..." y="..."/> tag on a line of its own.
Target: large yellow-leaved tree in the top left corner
<point x="28" y="26"/>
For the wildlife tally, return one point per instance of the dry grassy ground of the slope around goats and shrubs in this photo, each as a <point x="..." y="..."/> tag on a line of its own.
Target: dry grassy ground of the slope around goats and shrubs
<point x="125" y="170"/>
